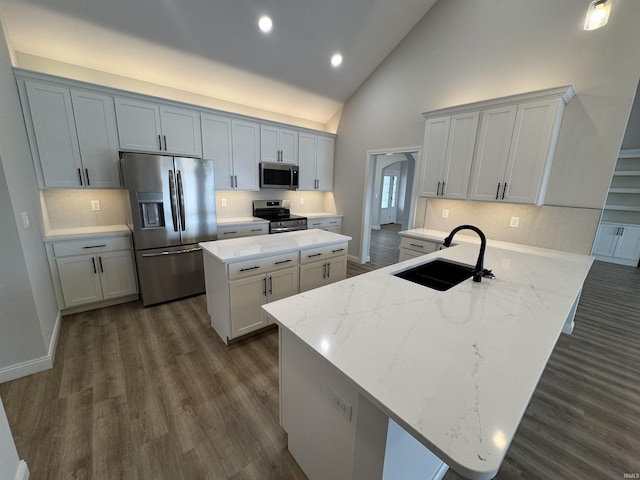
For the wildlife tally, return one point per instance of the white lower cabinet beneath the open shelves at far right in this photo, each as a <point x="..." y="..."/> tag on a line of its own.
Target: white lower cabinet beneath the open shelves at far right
<point x="618" y="243"/>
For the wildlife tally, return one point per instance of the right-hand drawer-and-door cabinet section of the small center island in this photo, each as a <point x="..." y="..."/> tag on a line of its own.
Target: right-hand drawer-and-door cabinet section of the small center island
<point x="322" y="266"/>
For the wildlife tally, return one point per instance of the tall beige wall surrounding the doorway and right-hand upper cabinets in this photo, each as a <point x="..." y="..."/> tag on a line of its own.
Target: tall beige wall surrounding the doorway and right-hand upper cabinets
<point x="464" y="51"/>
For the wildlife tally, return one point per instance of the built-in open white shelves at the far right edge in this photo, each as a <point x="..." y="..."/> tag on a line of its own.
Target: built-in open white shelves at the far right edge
<point x="623" y="200"/>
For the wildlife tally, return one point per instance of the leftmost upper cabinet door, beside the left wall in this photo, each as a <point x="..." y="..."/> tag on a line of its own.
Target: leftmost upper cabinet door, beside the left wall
<point x="55" y="135"/>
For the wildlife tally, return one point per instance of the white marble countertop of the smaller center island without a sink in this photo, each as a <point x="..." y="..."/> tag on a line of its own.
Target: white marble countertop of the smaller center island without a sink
<point x="249" y="248"/>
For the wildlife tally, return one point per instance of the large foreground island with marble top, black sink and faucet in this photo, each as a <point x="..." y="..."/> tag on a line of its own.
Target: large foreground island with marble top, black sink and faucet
<point x="454" y="370"/>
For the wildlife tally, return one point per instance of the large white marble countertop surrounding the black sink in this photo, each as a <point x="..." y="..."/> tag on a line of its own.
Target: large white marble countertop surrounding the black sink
<point x="455" y="369"/>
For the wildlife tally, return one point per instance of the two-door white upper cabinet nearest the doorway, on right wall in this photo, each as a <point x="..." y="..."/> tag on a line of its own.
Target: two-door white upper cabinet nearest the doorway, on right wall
<point x="448" y="152"/>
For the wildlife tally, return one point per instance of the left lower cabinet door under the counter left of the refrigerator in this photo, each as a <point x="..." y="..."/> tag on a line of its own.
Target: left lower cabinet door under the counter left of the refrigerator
<point x="79" y="280"/>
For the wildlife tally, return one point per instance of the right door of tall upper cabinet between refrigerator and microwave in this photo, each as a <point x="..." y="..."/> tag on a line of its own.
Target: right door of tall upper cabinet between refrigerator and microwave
<point x="246" y="154"/>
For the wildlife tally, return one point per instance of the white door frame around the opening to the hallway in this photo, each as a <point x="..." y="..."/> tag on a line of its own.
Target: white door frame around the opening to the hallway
<point x="369" y="179"/>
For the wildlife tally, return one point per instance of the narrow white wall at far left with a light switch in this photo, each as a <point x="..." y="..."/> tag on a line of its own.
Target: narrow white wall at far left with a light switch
<point x="28" y="308"/>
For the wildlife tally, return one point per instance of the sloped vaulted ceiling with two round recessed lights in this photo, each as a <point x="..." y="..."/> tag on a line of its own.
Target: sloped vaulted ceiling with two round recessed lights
<point x="214" y="47"/>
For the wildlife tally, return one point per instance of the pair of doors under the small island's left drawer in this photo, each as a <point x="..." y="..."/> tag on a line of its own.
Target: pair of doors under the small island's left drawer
<point x="249" y="294"/>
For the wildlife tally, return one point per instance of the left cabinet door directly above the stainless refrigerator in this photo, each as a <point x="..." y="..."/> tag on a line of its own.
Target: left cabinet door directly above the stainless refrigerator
<point x="138" y="125"/>
